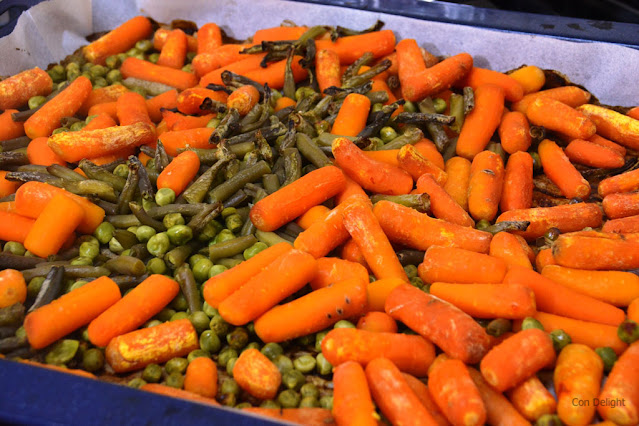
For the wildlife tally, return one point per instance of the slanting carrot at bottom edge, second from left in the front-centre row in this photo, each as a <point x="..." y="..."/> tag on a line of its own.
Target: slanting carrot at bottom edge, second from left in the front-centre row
<point x="393" y="396"/>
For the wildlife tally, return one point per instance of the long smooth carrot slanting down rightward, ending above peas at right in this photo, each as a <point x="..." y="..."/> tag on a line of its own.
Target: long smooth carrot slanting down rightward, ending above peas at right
<point x="557" y="299"/>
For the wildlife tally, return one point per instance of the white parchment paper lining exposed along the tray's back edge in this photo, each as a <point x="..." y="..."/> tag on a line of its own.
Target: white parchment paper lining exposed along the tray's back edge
<point x="53" y="29"/>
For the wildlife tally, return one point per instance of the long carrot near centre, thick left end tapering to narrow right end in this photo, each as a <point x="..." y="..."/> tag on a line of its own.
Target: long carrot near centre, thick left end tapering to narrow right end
<point x="419" y="231"/>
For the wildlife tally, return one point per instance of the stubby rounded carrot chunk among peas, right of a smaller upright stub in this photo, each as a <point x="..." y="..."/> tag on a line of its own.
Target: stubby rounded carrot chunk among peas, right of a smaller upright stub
<point x="256" y="374"/>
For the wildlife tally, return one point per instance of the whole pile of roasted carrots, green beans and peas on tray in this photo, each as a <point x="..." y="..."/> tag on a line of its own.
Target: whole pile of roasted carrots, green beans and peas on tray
<point x="322" y="225"/>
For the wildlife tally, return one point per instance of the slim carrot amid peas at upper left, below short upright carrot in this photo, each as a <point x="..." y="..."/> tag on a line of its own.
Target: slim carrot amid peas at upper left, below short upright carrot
<point x="144" y="70"/>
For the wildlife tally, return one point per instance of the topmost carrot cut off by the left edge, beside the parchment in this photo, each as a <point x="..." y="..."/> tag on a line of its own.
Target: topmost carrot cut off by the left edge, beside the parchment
<point x="15" y="91"/>
